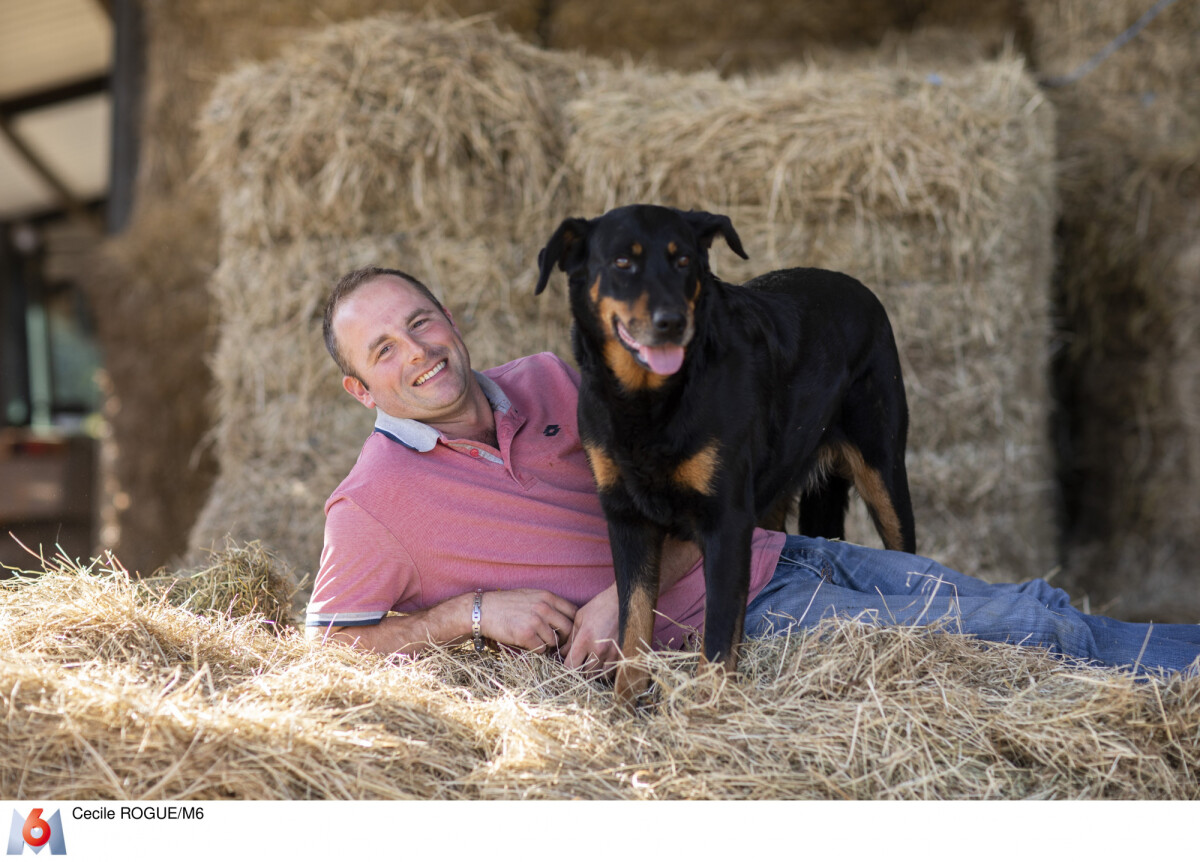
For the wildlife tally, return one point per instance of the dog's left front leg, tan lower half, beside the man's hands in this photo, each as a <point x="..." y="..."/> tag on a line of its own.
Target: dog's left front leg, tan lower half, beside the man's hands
<point x="637" y="556"/>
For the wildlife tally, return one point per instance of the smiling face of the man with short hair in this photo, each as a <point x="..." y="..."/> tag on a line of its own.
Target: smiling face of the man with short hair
<point x="410" y="357"/>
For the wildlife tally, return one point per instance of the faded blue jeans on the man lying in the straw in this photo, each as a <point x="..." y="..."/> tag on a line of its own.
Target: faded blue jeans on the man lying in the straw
<point x="818" y="579"/>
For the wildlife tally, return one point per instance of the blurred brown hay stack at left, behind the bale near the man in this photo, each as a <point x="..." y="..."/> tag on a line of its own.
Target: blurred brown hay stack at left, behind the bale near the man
<point x="154" y="314"/>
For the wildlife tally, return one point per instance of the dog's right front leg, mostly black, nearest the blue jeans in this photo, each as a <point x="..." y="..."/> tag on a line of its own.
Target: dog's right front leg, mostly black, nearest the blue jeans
<point x="727" y="586"/>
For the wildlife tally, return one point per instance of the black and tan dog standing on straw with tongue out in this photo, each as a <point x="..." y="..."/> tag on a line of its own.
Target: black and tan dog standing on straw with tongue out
<point x="707" y="408"/>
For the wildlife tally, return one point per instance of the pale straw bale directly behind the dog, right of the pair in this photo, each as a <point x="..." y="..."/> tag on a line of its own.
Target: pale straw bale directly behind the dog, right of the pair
<point x="937" y="193"/>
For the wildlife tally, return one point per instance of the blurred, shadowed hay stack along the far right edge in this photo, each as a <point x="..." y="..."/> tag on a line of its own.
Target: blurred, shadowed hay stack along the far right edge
<point x="1130" y="282"/>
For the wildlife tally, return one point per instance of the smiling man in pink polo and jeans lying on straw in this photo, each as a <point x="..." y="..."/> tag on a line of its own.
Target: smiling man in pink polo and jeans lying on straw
<point x="472" y="513"/>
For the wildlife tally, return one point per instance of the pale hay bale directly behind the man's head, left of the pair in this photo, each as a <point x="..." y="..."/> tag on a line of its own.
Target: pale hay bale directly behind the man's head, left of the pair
<point x="419" y="143"/>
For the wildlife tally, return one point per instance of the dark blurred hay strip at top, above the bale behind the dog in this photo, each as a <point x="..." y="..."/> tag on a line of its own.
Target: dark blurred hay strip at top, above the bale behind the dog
<point x="765" y="34"/>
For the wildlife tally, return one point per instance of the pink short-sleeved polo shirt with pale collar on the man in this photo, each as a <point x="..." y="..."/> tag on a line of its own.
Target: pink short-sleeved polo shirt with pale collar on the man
<point x="422" y="519"/>
